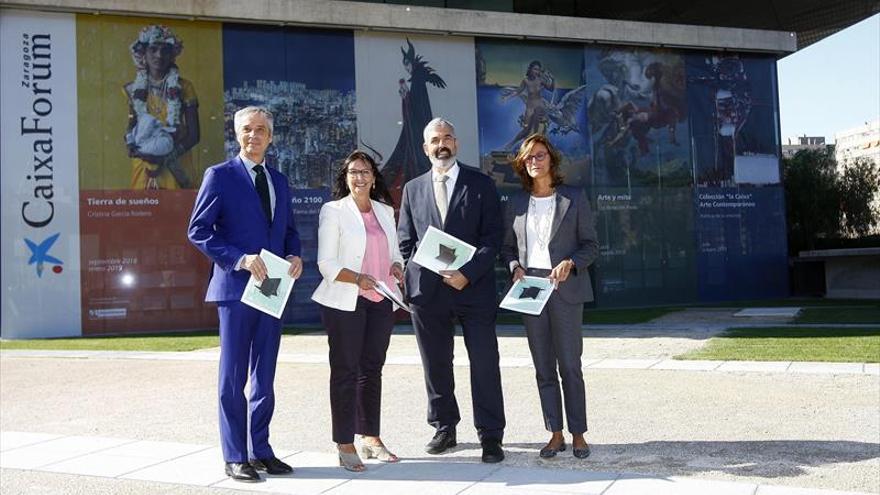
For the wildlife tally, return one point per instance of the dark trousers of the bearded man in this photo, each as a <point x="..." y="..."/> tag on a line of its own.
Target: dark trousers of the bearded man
<point x="434" y="329"/>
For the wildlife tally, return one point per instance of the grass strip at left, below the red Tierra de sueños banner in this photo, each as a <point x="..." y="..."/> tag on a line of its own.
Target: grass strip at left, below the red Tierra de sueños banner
<point x="174" y="342"/>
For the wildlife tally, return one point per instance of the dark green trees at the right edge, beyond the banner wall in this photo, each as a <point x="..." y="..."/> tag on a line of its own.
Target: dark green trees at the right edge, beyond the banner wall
<point x="823" y="202"/>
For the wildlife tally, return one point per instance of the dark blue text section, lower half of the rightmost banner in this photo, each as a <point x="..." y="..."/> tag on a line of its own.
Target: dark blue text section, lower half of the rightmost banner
<point x="741" y="243"/>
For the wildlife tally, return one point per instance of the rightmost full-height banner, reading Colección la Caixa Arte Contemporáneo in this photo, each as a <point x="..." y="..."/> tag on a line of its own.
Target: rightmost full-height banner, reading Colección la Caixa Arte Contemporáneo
<point x="738" y="198"/>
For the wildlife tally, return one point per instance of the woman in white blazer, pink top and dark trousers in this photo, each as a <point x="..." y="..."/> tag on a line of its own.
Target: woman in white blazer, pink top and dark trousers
<point x="357" y="249"/>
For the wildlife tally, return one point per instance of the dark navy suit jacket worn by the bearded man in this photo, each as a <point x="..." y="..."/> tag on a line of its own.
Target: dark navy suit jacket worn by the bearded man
<point x="473" y="216"/>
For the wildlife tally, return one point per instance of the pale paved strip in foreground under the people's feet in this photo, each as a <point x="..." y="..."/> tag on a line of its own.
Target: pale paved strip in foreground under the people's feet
<point x="192" y="465"/>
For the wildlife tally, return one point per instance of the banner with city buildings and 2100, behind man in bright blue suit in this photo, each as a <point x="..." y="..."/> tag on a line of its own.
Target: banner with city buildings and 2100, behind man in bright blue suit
<point x="315" y="124"/>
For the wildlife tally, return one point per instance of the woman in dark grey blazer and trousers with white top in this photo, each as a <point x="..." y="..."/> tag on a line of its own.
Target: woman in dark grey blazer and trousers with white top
<point x="549" y="232"/>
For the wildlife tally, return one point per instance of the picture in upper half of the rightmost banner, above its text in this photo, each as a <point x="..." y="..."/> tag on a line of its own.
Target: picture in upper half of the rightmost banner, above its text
<point x="734" y="119"/>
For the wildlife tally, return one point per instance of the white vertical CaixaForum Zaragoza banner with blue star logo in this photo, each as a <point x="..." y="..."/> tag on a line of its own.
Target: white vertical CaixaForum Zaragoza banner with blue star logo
<point x="41" y="246"/>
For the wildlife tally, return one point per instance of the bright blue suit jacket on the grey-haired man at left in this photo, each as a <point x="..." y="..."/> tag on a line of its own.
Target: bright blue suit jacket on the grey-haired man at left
<point x="228" y="221"/>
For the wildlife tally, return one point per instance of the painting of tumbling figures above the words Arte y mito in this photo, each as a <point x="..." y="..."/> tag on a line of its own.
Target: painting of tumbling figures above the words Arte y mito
<point x="637" y="107"/>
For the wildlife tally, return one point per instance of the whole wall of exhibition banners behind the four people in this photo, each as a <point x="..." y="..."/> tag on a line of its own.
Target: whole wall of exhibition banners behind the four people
<point x="109" y="123"/>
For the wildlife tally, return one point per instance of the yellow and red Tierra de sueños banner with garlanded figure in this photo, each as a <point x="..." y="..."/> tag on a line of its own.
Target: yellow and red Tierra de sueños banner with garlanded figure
<point x="151" y="122"/>
